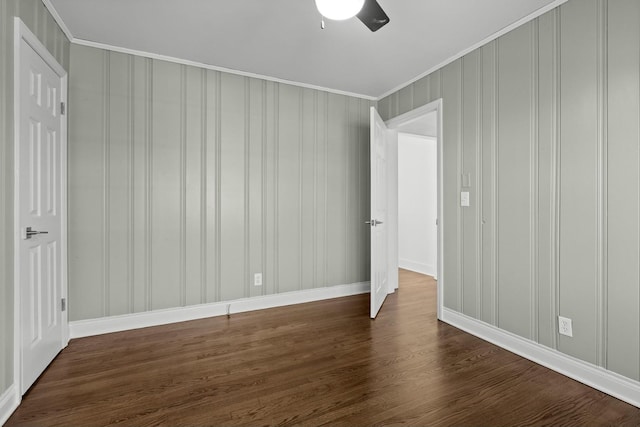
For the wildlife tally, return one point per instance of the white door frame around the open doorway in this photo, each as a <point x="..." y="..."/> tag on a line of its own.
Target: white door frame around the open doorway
<point x="397" y="122"/>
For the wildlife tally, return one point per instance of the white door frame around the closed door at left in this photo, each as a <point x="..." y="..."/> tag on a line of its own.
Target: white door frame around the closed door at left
<point x="22" y="33"/>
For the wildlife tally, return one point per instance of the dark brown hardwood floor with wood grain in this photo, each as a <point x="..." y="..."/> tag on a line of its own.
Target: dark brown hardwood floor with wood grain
<point x="323" y="363"/>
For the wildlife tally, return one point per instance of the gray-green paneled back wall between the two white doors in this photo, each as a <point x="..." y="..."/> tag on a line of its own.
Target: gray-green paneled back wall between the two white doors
<point x="185" y="182"/>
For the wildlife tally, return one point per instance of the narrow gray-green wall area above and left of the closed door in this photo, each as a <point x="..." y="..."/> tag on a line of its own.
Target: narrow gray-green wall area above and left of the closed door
<point x="37" y="18"/>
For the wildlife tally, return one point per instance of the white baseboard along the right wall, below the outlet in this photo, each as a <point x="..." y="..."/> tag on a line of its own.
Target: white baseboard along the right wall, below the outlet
<point x="599" y="378"/>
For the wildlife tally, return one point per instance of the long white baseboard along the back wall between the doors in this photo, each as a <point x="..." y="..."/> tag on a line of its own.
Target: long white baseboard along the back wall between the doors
<point x="105" y="325"/>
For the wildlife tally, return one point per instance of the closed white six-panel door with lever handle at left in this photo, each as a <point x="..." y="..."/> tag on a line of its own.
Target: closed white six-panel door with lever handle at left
<point x="39" y="215"/>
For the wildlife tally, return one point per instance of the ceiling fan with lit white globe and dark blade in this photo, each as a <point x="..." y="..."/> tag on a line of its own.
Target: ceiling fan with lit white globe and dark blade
<point x="369" y="12"/>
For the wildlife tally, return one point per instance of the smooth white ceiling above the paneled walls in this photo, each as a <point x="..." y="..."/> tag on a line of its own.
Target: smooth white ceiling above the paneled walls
<point x="282" y="39"/>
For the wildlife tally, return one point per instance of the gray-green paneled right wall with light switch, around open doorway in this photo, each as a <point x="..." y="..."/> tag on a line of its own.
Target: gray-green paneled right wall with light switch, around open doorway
<point x="542" y="126"/>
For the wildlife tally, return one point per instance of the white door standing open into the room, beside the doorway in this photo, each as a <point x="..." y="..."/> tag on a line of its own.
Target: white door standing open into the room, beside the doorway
<point x="379" y="211"/>
